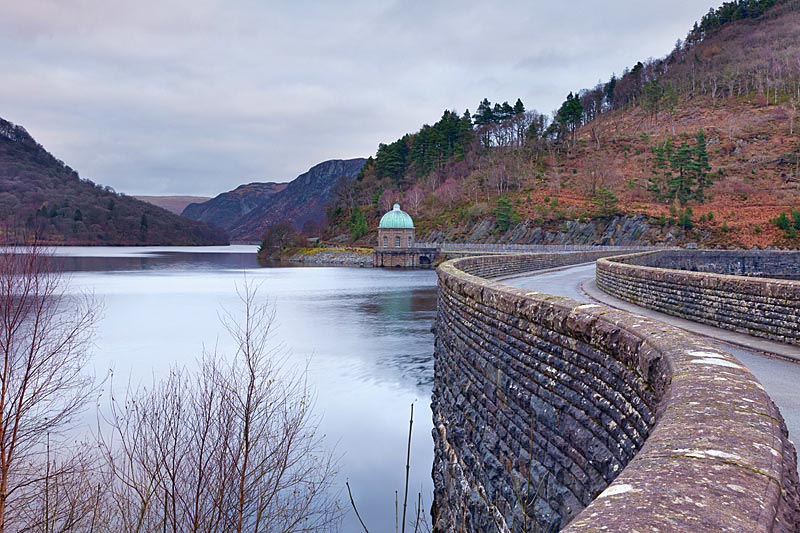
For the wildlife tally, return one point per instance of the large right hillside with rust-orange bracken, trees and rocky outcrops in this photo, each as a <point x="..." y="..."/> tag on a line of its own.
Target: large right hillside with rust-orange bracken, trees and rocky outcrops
<point x="699" y="146"/>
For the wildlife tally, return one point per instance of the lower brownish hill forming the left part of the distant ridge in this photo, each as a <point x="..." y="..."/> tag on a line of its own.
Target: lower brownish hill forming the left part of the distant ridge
<point x="227" y="208"/>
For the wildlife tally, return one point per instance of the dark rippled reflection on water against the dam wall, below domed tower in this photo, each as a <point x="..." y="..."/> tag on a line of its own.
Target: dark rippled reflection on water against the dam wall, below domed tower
<point x="401" y="323"/>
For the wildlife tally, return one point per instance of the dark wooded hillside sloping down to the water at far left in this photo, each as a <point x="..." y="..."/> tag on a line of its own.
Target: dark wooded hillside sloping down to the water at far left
<point x="40" y="195"/>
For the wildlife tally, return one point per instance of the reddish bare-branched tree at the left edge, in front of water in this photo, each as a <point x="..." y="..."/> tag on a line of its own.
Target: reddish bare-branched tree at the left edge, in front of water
<point x="44" y="337"/>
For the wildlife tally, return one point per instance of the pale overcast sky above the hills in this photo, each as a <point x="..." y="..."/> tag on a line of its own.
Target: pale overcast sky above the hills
<point x="199" y="96"/>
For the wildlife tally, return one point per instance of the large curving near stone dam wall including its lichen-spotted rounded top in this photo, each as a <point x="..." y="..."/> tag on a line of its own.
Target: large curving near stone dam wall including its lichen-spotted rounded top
<point x="552" y="414"/>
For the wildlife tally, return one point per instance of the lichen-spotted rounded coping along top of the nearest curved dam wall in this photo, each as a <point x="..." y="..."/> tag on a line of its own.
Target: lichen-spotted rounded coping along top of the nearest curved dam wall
<point x="718" y="458"/>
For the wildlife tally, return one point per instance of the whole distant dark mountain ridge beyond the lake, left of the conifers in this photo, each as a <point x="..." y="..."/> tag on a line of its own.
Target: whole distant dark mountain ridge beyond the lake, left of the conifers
<point x="249" y="210"/>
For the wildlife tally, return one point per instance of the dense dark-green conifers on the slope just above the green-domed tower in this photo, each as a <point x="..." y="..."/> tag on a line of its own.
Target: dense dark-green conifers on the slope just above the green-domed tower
<point x="424" y="151"/>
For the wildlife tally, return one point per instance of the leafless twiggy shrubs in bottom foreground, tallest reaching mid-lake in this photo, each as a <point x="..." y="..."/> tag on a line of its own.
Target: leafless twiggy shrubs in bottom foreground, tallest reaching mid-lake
<point x="231" y="448"/>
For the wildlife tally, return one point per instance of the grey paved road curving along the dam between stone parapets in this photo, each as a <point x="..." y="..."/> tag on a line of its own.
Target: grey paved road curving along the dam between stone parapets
<point x="781" y="378"/>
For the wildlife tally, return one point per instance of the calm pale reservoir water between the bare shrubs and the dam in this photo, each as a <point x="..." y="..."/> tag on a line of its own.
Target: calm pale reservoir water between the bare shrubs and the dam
<point x="365" y="334"/>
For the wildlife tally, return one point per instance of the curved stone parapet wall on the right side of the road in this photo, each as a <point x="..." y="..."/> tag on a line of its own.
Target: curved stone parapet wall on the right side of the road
<point x="758" y="306"/>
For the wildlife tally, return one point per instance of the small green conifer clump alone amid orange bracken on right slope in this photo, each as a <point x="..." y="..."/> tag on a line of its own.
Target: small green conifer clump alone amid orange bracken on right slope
<point x="681" y="173"/>
